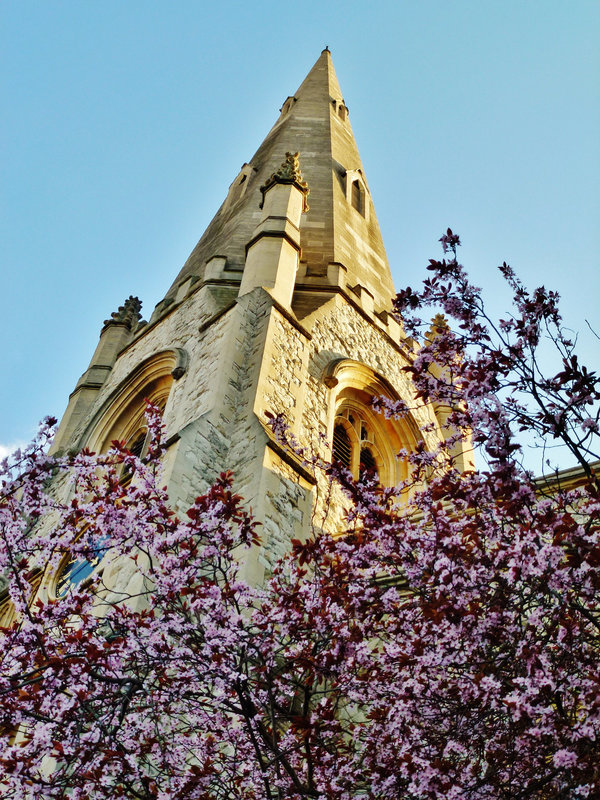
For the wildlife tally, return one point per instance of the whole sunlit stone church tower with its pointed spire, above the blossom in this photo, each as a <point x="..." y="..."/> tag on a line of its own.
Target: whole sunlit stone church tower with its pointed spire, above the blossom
<point x="281" y="308"/>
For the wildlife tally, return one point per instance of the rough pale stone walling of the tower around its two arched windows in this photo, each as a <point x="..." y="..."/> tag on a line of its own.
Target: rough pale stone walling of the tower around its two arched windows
<point x="250" y="360"/>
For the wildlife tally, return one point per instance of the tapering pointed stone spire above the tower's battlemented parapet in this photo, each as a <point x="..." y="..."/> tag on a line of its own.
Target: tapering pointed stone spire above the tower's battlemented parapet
<point x="340" y="227"/>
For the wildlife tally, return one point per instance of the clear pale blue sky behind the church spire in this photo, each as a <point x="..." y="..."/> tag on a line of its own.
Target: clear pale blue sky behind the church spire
<point x="125" y="122"/>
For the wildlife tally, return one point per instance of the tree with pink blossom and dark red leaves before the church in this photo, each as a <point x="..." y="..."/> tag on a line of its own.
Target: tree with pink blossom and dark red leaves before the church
<point x="444" y="648"/>
